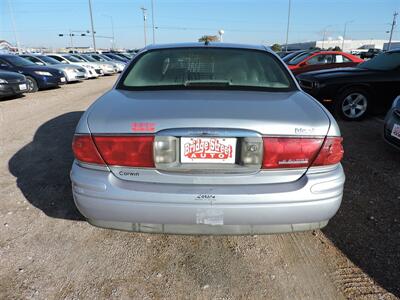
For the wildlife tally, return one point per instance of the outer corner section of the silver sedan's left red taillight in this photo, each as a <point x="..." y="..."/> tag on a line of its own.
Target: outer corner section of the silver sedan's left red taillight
<point x="85" y="150"/>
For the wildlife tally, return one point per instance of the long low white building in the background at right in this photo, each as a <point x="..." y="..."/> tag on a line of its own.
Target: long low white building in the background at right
<point x="348" y="45"/>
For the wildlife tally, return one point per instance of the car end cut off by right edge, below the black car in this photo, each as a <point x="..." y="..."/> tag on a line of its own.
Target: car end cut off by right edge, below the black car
<point x="391" y="129"/>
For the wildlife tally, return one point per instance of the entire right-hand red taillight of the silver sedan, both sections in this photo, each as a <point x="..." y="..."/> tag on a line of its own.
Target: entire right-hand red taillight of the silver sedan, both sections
<point x="286" y="152"/>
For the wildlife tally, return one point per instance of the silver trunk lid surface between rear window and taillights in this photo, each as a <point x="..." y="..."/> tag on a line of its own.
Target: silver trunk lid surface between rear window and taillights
<point x="272" y="113"/>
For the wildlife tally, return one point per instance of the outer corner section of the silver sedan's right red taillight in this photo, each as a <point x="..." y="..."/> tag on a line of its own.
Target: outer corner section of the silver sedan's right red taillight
<point x="331" y="152"/>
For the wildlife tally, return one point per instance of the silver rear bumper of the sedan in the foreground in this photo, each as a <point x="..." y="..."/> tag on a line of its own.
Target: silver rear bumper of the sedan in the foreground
<point x="107" y="201"/>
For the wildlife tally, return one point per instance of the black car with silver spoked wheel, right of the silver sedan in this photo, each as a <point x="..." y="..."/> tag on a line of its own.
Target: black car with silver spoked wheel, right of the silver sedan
<point x="354" y="92"/>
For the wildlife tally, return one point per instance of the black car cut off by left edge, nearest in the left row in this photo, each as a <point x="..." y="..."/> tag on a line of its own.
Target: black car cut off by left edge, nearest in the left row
<point x="12" y="84"/>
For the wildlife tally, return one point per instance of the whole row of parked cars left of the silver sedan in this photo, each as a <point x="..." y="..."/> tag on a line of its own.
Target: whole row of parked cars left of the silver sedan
<point x="28" y="73"/>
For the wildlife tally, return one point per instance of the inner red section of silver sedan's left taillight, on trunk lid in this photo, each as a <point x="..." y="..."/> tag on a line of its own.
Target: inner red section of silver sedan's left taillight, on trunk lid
<point x="129" y="151"/>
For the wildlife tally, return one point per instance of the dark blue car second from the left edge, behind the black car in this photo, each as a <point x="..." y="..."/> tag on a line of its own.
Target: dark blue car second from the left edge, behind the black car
<point x="38" y="77"/>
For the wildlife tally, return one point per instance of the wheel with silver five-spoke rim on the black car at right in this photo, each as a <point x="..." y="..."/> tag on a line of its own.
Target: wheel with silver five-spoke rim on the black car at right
<point x="353" y="104"/>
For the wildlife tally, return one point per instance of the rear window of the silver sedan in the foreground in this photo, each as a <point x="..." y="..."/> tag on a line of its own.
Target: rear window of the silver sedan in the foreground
<point x="207" y="68"/>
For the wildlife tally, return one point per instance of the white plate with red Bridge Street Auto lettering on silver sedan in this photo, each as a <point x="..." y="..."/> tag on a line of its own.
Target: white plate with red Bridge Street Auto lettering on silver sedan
<point x="208" y="150"/>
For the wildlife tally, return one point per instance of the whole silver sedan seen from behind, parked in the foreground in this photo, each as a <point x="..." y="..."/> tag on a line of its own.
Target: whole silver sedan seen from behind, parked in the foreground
<point x="207" y="139"/>
